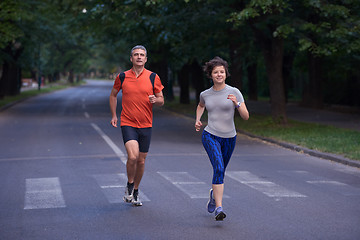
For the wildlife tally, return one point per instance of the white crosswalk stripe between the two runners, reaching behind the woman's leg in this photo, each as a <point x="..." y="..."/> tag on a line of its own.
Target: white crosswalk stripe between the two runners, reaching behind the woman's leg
<point x="188" y="184"/>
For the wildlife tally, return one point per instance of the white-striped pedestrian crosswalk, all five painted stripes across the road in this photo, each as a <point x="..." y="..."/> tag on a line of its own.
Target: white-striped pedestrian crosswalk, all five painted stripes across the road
<point x="43" y="193"/>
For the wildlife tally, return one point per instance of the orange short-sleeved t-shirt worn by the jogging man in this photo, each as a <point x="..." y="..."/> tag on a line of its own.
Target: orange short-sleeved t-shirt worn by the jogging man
<point x="136" y="107"/>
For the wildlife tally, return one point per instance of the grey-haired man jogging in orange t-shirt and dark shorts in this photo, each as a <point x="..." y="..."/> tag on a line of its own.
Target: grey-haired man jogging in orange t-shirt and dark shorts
<point x="140" y="90"/>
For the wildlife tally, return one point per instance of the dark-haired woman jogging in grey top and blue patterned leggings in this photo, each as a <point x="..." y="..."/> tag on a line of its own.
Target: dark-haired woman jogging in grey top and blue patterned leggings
<point x="219" y="136"/>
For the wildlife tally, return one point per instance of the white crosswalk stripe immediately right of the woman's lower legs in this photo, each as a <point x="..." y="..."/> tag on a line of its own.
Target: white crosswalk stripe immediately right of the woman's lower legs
<point x="268" y="188"/>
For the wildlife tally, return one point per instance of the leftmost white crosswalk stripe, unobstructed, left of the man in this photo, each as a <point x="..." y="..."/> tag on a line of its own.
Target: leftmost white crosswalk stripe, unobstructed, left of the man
<point x="42" y="193"/>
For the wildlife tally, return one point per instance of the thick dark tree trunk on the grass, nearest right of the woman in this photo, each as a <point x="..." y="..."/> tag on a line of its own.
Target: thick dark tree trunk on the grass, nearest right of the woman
<point x="274" y="61"/>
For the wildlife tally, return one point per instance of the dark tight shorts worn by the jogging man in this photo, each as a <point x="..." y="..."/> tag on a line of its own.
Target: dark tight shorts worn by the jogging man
<point x="141" y="135"/>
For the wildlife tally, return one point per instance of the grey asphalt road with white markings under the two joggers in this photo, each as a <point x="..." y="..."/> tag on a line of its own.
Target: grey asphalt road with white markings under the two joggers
<point x="62" y="176"/>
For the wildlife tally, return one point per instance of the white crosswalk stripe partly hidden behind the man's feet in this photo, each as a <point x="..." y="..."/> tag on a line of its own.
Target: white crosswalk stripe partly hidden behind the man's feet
<point x="113" y="187"/>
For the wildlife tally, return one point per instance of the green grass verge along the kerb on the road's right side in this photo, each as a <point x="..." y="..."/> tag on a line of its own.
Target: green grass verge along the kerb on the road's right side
<point x="313" y="136"/>
